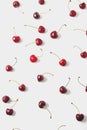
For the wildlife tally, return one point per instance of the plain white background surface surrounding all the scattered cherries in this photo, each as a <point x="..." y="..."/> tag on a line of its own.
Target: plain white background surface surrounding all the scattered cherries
<point x="28" y="114"/>
